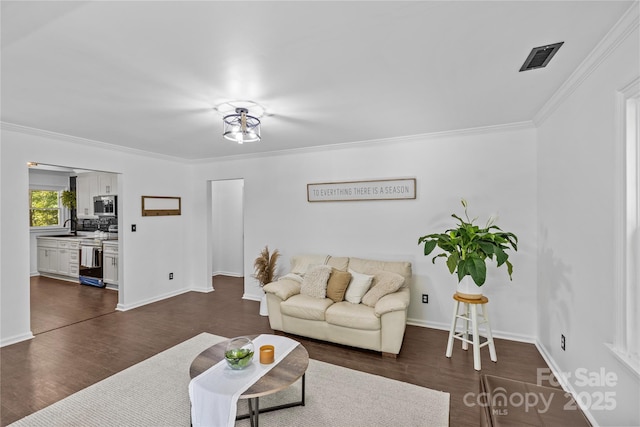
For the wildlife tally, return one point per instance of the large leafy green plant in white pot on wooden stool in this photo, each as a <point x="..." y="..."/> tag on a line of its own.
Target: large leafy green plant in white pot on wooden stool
<point x="467" y="248"/>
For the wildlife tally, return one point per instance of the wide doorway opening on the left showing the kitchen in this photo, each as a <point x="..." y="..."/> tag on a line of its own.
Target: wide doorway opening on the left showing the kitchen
<point x="63" y="228"/>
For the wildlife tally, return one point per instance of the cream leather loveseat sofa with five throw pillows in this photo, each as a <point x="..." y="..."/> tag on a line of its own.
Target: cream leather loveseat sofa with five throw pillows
<point x="374" y="320"/>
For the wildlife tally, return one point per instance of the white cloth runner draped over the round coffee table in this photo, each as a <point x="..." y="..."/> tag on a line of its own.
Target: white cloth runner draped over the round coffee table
<point x="214" y="393"/>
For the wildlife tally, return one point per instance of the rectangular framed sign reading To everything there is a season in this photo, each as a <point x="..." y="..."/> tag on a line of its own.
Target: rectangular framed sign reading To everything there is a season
<point x="385" y="189"/>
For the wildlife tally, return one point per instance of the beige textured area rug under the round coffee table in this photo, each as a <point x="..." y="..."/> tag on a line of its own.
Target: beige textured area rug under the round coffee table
<point x="155" y="393"/>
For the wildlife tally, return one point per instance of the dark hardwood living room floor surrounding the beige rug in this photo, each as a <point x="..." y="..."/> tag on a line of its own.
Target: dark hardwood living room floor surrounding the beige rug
<point x="64" y="360"/>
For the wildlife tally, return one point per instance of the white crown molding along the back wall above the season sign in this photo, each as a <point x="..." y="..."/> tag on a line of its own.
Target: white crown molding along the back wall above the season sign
<point x="509" y="127"/>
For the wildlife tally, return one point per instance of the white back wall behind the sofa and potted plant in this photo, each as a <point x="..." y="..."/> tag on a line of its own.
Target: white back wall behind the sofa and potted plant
<point x="495" y="173"/>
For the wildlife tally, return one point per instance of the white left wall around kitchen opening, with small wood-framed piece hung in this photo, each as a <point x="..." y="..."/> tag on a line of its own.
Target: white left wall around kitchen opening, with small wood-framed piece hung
<point x="157" y="248"/>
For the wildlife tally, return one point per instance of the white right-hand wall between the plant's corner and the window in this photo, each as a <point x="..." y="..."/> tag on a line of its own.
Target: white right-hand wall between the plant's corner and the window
<point x="577" y="213"/>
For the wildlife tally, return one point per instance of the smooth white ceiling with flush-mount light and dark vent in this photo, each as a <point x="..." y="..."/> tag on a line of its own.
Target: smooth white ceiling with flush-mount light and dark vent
<point x="147" y="74"/>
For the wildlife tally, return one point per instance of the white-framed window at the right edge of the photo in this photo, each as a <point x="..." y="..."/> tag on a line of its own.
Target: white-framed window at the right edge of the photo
<point x="626" y="345"/>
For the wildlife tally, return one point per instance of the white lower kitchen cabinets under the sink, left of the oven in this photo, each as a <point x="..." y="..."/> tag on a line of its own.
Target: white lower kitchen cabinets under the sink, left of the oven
<point x="59" y="257"/>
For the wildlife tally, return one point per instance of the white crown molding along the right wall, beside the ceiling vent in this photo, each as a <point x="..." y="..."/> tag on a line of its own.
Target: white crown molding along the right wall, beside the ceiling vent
<point x="625" y="26"/>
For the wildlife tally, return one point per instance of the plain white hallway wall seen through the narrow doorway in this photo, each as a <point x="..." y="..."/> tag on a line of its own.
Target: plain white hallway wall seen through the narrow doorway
<point x="227" y="227"/>
